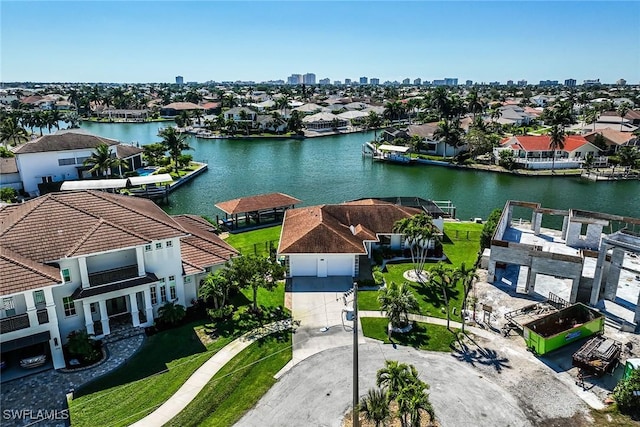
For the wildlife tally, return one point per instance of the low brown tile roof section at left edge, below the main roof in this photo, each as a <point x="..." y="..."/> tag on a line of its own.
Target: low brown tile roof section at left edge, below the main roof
<point x="20" y="274"/>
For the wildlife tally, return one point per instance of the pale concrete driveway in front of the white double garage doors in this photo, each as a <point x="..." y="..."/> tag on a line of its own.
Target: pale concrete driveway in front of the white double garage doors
<point x="317" y="303"/>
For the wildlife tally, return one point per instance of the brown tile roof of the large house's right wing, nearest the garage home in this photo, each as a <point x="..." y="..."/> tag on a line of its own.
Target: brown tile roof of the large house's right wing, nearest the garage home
<point x="203" y="248"/>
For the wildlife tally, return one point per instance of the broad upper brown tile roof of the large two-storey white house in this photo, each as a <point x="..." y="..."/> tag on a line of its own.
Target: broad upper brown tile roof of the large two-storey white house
<point x="56" y="225"/>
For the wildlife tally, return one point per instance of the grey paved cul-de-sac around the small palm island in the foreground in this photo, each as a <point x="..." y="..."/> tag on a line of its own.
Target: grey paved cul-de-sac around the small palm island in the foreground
<point x="318" y="390"/>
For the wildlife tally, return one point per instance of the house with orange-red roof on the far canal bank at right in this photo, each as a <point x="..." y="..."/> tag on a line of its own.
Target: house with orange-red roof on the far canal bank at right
<point x="534" y="152"/>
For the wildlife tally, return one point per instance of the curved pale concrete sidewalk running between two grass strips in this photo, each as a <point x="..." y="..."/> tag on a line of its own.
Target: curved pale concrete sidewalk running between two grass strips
<point x="203" y="375"/>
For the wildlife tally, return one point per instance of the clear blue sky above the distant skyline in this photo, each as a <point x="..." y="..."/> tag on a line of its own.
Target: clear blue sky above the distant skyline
<point x="153" y="41"/>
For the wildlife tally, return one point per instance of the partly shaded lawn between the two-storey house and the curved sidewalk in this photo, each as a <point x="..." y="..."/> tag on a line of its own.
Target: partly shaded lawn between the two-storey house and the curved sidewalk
<point x="163" y="364"/>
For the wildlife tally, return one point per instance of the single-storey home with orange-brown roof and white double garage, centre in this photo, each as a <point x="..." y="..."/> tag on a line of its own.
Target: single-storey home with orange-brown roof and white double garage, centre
<point x="329" y="240"/>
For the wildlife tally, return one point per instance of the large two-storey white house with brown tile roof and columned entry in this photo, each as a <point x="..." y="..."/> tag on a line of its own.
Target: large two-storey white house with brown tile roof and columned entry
<point x="98" y="262"/>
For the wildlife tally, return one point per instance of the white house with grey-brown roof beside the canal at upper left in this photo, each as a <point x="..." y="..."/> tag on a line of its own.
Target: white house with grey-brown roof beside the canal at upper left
<point x="60" y="157"/>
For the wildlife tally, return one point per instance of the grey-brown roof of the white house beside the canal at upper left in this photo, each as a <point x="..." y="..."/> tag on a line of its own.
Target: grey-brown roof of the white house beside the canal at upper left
<point x="63" y="140"/>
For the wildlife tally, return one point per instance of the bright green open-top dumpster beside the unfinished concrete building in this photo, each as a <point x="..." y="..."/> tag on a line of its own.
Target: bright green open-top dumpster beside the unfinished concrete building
<point x="561" y="328"/>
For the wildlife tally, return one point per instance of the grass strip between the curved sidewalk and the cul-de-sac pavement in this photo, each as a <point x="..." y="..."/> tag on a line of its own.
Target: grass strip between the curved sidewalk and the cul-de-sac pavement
<point x="239" y="384"/>
